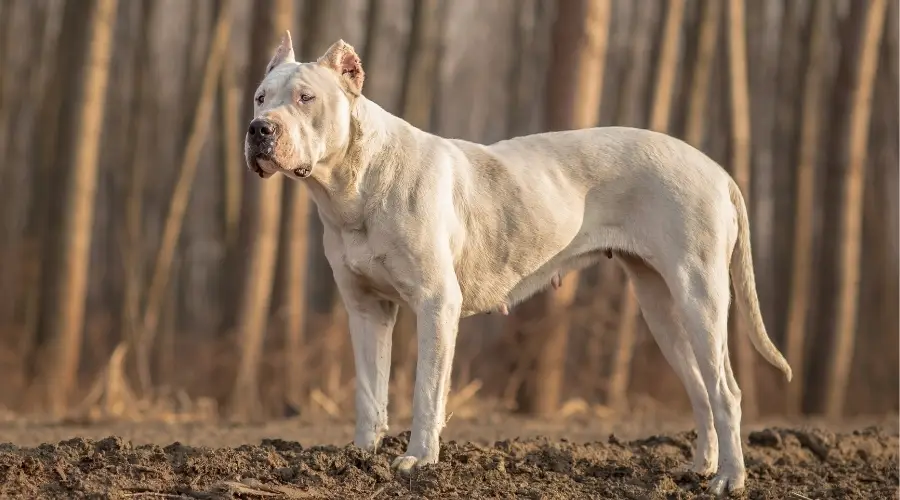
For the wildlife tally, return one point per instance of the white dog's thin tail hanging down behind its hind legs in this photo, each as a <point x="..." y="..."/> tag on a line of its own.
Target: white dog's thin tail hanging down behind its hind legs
<point x="745" y="286"/>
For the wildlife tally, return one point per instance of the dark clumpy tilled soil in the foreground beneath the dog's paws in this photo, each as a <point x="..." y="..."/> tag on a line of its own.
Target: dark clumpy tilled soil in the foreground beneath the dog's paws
<point x="801" y="463"/>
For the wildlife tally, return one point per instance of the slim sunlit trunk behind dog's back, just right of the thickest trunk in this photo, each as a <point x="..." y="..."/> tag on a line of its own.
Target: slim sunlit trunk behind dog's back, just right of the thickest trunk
<point x="659" y="121"/>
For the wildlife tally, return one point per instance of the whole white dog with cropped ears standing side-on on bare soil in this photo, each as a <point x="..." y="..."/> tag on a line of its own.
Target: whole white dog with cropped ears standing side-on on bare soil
<point x="454" y="228"/>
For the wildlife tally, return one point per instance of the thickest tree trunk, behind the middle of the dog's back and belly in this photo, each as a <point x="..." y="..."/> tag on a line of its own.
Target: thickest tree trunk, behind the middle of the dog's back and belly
<point x="574" y="89"/>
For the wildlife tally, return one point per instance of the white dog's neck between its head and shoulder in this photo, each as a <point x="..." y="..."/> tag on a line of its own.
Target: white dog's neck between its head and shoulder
<point x="339" y="184"/>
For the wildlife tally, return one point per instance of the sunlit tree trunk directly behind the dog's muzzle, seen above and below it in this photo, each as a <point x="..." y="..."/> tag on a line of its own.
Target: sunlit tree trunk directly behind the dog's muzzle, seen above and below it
<point x="271" y="19"/>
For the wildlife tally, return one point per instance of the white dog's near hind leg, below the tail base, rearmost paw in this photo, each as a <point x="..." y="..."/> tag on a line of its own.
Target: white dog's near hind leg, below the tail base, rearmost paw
<point x="701" y="292"/>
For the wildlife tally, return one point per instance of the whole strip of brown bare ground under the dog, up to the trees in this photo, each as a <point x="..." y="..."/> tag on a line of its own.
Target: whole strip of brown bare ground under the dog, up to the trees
<point x="498" y="456"/>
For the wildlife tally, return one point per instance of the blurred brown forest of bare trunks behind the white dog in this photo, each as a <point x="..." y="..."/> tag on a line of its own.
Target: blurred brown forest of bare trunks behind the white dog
<point x="144" y="270"/>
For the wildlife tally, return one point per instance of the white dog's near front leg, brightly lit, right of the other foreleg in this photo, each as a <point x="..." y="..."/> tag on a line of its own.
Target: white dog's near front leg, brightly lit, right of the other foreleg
<point x="437" y="324"/>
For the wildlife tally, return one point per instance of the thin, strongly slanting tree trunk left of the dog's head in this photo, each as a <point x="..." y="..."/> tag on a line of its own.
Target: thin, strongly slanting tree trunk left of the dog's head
<point x="200" y="123"/>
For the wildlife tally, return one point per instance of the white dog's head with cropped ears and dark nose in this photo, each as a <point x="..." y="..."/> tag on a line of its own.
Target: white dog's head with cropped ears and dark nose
<point x="301" y="111"/>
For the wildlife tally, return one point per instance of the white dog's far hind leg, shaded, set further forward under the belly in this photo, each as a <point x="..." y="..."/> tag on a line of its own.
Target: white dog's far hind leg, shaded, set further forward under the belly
<point x="667" y="328"/>
